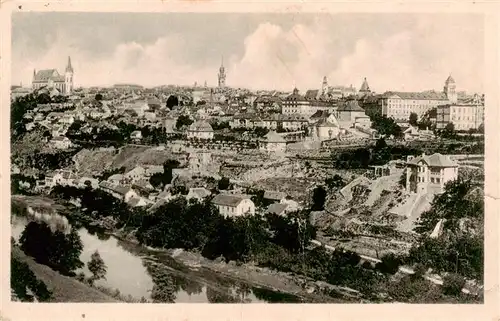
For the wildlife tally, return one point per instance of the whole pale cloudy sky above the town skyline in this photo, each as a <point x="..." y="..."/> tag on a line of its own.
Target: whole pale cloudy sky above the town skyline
<point x="394" y="51"/>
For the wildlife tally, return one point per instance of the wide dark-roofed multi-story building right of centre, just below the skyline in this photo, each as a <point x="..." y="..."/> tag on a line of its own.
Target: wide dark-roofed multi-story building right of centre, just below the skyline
<point x="305" y="105"/>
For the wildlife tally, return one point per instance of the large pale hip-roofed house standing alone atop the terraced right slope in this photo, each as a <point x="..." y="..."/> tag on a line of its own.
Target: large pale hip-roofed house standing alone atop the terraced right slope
<point x="429" y="174"/>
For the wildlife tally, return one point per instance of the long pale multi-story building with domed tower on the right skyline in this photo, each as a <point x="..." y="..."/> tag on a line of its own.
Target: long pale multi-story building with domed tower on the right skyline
<point x="399" y="105"/>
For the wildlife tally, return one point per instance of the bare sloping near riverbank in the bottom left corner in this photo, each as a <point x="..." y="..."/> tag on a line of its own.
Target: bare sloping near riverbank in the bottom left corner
<point x="63" y="288"/>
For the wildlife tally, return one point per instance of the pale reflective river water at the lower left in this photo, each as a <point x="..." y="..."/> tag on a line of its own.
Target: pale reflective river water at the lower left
<point x="127" y="272"/>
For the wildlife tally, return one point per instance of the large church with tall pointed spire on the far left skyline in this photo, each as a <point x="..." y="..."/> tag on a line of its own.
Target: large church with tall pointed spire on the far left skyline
<point x="51" y="78"/>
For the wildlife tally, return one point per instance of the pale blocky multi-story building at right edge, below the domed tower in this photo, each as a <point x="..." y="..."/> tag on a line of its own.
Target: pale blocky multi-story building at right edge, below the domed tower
<point x="464" y="115"/>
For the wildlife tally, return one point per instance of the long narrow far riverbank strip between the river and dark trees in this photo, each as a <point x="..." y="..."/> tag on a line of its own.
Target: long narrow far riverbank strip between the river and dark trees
<point x="194" y="266"/>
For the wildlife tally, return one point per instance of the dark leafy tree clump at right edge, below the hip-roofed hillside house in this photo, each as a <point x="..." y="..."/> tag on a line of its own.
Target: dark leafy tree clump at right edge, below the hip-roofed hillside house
<point x="459" y="247"/>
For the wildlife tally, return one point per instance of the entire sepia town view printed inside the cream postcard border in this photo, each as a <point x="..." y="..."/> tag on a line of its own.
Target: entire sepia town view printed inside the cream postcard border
<point x="248" y="157"/>
